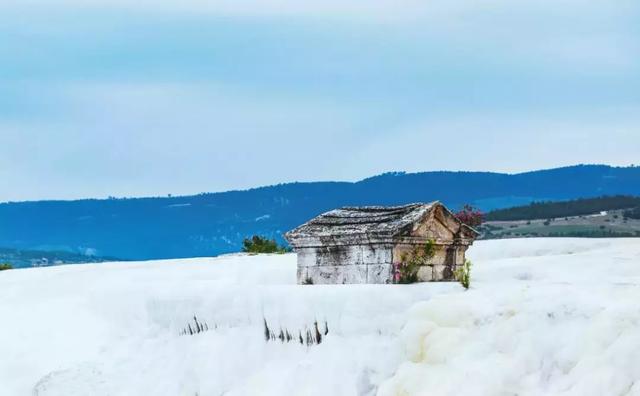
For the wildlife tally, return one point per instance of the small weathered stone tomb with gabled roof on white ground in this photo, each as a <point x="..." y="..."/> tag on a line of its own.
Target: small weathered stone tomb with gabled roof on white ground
<point x="361" y="244"/>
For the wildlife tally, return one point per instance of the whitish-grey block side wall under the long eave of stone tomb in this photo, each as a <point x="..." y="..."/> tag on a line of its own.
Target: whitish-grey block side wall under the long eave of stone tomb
<point x="346" y="264"/>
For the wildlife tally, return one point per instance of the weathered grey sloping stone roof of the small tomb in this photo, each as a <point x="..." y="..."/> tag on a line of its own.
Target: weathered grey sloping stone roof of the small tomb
<point x="360" y="224"/>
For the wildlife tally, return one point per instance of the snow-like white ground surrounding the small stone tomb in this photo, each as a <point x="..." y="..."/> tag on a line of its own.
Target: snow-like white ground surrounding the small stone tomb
<point x="543" y="317"/>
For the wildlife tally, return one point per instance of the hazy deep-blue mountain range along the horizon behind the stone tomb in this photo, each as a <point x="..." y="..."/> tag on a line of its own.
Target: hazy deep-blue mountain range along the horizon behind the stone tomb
<point x="211" y="224"/>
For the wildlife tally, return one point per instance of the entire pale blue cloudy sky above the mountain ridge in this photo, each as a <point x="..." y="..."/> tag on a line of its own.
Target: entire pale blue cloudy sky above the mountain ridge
<point x="101" y="97"/>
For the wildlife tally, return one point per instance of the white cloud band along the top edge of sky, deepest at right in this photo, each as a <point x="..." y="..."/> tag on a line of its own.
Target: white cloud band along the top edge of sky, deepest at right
<point x="567" y="34"/>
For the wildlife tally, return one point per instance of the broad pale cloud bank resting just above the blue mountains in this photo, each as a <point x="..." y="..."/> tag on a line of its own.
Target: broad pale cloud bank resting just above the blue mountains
<point x="154" y="139"/>
